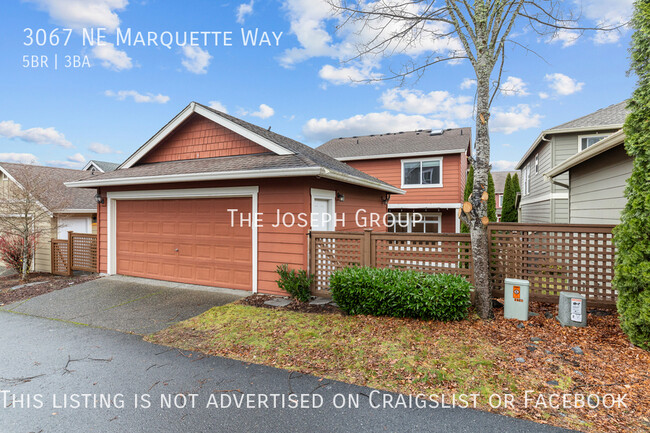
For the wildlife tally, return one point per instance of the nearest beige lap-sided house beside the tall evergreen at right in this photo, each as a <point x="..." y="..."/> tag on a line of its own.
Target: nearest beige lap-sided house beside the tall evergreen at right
<point x="597" y="178"/>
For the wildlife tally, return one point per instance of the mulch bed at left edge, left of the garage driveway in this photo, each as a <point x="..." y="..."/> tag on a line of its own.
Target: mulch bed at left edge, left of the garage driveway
<point x="48" y="283"/>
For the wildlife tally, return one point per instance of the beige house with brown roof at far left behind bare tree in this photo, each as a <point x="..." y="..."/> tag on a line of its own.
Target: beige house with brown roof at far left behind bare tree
<point x="76" y="212"/>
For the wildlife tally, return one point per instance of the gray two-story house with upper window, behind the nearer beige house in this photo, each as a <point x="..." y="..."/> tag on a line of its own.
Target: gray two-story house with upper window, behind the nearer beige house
<point x="547" y="201"/>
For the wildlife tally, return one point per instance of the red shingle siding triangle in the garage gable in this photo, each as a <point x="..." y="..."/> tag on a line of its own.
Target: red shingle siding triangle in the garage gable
<point x="200" y="138"/>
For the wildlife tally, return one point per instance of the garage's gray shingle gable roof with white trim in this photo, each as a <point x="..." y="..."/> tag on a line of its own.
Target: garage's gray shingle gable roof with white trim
<point x="288" y="158"/>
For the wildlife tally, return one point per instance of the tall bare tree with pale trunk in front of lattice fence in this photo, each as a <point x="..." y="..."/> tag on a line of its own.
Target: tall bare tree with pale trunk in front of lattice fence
<point x="483" y="28"/>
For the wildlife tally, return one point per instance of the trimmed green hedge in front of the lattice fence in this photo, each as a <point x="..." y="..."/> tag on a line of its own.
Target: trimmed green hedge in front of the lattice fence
<point x="397" y="293"/>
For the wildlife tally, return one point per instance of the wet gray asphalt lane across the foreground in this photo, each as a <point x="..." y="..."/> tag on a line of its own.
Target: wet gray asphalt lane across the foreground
<point x="76" y="372"/>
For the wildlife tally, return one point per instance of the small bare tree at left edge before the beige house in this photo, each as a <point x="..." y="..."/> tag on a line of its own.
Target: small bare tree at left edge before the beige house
<point x="23" y="217"/>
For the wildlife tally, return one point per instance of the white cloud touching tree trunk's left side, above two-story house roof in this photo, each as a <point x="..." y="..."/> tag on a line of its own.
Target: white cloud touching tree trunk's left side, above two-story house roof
<point x="438" y="103"/>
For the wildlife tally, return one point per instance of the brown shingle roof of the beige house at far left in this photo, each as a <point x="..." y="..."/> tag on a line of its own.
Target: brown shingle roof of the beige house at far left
<point x="79" y="200"/>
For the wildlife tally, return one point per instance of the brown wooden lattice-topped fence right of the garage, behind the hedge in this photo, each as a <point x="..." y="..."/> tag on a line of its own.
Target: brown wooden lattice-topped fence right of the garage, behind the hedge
<point x="553" y="257"/>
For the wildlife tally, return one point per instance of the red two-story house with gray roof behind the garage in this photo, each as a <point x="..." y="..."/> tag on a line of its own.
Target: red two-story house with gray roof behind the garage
<point x="430" y="165"/>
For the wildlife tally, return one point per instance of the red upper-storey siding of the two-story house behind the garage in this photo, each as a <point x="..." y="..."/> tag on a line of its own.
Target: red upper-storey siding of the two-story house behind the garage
<point x="390" y="171"/>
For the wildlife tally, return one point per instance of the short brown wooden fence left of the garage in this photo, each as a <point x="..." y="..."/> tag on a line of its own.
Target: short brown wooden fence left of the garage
<point x="77" y="253"/>
